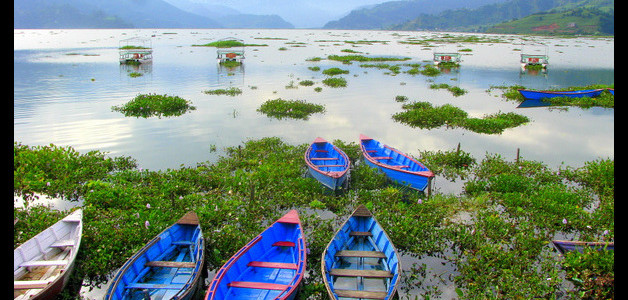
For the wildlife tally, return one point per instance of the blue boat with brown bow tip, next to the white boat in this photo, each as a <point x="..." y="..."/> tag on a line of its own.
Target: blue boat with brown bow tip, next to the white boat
<point x="168" y="267"/>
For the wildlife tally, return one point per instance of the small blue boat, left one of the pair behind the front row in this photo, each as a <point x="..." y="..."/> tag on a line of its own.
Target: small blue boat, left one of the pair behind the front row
<point x="327" y="163"/>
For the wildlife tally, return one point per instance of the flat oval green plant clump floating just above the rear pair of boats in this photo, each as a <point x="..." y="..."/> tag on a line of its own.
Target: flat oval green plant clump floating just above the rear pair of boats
<point x="295" y="109"/>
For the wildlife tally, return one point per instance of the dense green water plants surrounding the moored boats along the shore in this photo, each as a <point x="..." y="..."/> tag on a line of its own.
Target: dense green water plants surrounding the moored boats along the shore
<point x="501" y="249"/>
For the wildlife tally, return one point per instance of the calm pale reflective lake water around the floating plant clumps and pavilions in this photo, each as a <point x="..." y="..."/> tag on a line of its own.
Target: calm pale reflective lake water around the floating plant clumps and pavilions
<point x="66" y="81"/>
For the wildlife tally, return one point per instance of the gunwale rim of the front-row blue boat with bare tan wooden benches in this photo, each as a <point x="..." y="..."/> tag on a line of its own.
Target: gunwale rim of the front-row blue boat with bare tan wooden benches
<point x="324" y="273"/>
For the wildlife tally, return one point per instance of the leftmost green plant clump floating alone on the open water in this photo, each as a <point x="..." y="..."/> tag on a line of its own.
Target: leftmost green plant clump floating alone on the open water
<point x="151" y="105"/>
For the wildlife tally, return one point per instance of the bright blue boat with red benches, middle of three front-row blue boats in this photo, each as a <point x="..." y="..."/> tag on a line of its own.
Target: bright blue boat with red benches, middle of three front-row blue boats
<point x="271" y="266"/>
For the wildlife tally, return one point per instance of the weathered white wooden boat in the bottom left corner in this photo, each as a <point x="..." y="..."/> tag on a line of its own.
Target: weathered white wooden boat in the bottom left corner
<point x="43" y="264"/>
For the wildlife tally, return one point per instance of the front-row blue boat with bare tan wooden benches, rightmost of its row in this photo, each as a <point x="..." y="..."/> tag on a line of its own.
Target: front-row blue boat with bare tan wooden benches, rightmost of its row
<point x="361" y="261"/>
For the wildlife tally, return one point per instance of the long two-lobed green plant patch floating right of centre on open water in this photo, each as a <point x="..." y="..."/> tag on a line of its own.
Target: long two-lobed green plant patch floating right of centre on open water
<point x="426" y="116"/>
